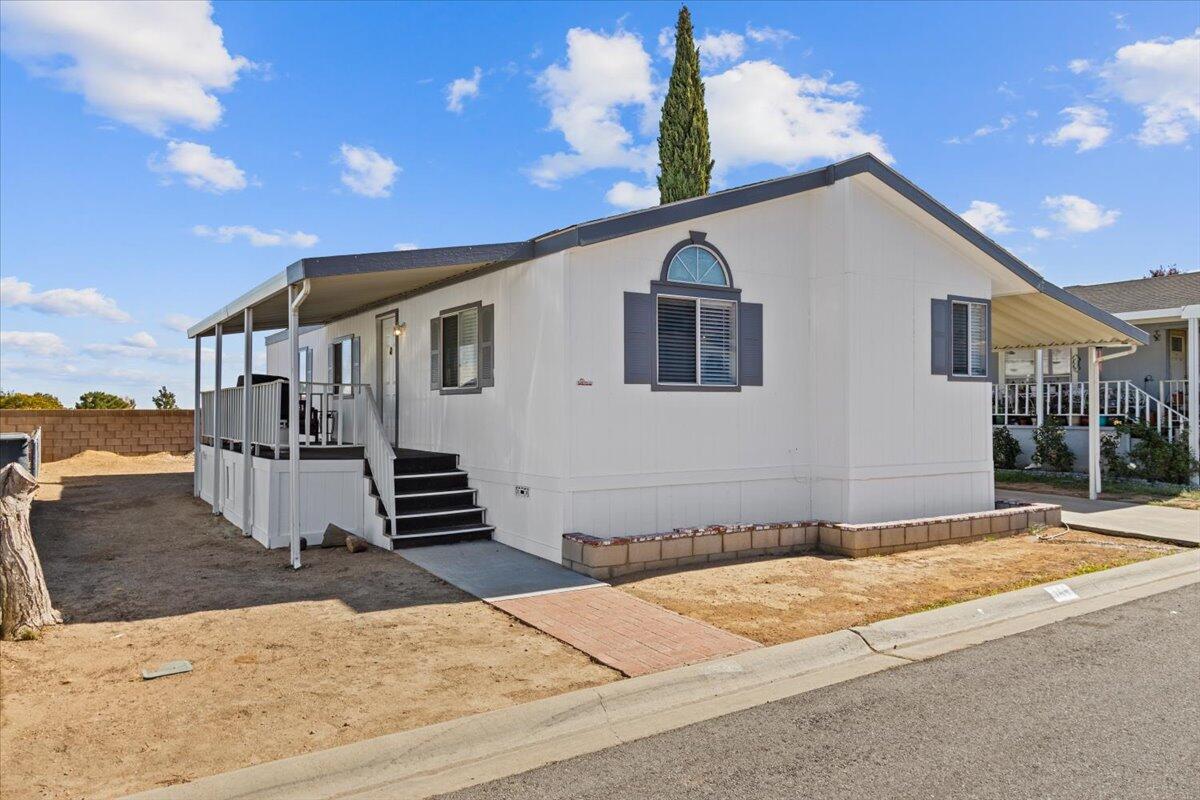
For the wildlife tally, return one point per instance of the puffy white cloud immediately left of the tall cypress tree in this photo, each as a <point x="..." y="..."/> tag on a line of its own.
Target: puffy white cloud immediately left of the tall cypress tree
<point x="603" y="75"/>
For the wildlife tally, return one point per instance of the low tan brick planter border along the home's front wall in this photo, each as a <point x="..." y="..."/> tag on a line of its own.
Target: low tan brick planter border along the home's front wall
<point x="619" y="556"/>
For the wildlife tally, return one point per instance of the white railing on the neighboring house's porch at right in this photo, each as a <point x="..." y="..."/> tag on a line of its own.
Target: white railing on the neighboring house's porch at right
<point x="1070" y="400"/>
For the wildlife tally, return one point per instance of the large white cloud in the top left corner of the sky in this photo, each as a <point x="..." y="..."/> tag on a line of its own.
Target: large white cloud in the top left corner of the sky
<point x="149" y="65"/>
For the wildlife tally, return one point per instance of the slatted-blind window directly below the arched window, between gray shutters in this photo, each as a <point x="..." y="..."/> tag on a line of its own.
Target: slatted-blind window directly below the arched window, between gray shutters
<point x="697" y="342"/>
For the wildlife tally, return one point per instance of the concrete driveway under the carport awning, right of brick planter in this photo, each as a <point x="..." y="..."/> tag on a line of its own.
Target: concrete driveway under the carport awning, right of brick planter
<point x="1162" y="524"/>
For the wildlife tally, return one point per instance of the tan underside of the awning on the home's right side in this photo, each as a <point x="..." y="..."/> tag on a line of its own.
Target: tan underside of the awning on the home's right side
<point x="1047" y="320"/>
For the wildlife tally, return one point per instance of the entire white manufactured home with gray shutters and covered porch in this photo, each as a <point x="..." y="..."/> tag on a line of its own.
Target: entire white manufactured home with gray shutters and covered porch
<point x="815" y="347"/>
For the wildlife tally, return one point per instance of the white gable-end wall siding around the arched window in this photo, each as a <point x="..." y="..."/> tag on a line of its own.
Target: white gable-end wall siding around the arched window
<point x="850" y="425"/>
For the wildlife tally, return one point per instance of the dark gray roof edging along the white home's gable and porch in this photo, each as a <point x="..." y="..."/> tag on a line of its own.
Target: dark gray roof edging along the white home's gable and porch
<point x="473" y="258"/>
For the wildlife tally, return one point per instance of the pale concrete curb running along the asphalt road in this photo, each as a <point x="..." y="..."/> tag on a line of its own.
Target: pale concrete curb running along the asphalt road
<point x="478" y="749"/>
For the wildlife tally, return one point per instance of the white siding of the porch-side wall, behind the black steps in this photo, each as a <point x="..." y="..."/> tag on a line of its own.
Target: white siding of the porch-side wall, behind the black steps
<point x="512" y="435"/>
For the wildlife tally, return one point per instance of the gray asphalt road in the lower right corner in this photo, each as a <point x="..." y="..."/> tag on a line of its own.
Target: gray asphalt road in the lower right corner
<point x="1102" y="706"/>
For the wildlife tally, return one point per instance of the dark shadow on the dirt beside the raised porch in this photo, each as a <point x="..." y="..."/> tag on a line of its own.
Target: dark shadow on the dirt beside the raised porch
<point x="129" y="548"/>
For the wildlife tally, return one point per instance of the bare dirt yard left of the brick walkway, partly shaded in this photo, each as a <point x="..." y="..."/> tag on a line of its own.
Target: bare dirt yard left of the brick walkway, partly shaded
<point x="353" y="646"/>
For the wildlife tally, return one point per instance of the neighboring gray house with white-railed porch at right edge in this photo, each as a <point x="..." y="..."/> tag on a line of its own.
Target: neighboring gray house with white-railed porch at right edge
<point x="1150" y="384"/>
